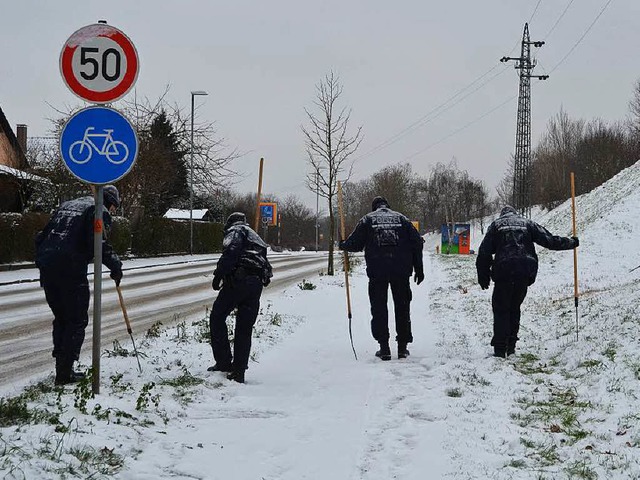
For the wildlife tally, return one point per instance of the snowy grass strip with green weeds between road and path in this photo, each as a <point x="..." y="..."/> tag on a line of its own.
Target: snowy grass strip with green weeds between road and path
<point x="67" y="432"/>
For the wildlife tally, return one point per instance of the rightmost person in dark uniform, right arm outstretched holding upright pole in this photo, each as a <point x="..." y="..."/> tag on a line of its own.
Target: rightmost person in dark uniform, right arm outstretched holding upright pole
<point x="508" y="256"/>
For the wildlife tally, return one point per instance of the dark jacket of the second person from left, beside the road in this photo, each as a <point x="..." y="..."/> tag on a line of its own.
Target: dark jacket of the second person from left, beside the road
<point x="243" y="253"/>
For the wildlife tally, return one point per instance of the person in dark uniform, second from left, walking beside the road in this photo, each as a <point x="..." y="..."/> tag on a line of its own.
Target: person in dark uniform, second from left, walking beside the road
<point x="241" y="272"/>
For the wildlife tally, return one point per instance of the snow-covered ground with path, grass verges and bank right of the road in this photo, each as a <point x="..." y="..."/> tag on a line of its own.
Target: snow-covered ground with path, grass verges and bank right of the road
<point x="561" y="408"/>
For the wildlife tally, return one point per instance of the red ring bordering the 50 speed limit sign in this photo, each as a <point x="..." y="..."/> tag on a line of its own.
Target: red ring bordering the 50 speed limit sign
<point x="110" y="95"/>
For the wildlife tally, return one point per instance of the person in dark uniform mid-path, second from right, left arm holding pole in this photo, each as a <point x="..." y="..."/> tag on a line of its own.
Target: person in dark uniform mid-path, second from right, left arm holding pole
<point x="392" y="250"/>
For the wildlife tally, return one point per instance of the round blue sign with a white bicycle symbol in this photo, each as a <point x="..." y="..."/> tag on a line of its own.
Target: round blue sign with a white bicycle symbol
<point x="98" y="145"/>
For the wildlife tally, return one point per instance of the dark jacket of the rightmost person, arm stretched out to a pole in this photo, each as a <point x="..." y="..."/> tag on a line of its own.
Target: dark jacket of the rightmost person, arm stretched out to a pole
<point x="511" y="239"/>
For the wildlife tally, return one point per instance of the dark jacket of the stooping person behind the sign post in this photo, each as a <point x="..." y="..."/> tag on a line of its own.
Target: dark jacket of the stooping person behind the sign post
<point x="66" y="243"/>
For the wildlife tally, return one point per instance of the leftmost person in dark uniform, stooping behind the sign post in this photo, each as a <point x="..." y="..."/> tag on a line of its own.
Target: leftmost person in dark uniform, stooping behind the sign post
<point x="64" y="249"/>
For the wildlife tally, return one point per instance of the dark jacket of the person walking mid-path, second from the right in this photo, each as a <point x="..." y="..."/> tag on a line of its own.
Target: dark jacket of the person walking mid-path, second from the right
<point x="392" y="246"/>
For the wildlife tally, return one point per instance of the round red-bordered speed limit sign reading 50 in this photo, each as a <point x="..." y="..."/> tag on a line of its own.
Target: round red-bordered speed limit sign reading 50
<point x="99" y="63"/>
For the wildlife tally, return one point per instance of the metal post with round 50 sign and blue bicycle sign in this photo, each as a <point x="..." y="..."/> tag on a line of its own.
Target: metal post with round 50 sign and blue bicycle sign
<point x="98" y="145"/>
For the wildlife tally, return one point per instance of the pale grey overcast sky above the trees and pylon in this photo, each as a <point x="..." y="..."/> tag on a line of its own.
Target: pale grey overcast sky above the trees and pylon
<point x="398" y="61"/>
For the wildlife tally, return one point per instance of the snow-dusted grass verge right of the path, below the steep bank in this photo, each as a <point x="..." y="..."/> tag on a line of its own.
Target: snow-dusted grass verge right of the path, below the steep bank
<point x="560" y="408"/>
